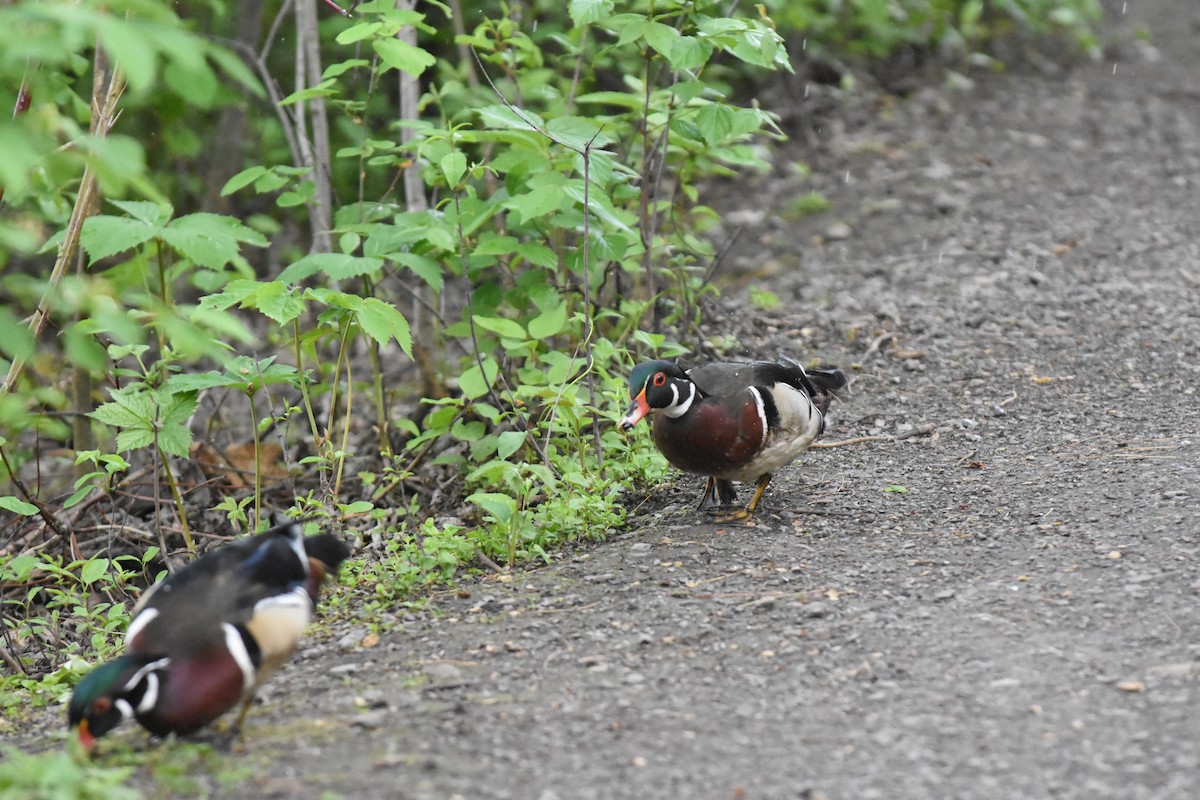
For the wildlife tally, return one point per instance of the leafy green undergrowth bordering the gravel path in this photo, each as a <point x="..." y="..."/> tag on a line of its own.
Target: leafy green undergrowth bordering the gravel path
<point x="416" y="321"/>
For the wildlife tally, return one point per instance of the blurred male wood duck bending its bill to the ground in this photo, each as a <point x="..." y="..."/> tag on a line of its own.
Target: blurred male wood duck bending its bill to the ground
<point x="209" y="636"/>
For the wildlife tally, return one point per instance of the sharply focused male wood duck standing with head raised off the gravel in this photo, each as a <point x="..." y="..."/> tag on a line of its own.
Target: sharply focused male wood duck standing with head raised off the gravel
<point x="733" y="422"/>
